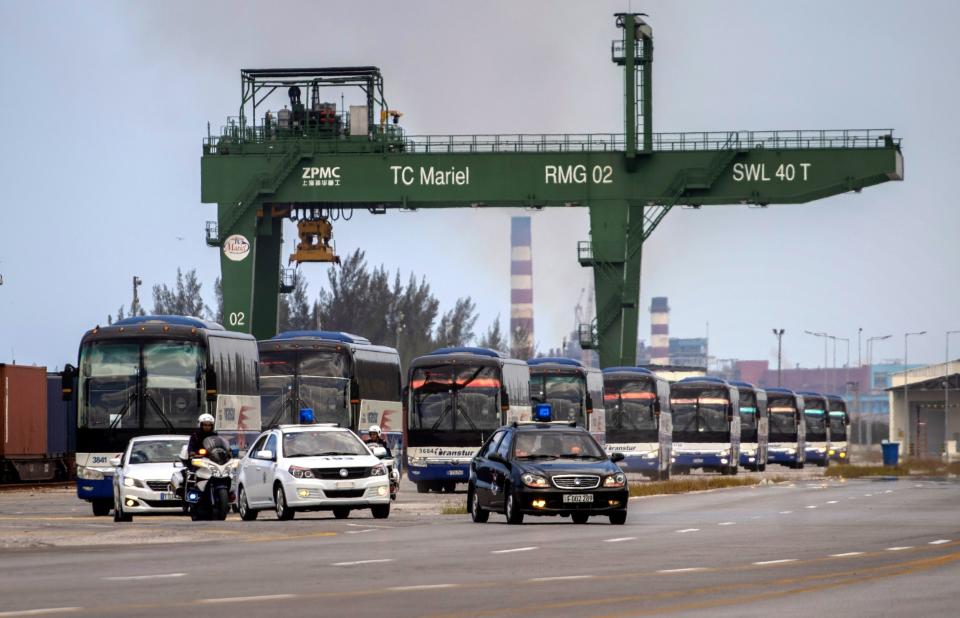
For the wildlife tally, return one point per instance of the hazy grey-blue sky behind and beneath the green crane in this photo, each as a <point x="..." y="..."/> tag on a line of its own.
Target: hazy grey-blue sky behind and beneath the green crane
<point x="107" y="103"/>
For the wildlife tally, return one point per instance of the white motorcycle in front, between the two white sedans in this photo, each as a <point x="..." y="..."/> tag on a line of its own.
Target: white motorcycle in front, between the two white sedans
<point x="207" y="487"/>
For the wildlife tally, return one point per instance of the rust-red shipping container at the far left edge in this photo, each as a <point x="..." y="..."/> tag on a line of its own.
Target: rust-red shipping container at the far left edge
<point x="23" y="411"/>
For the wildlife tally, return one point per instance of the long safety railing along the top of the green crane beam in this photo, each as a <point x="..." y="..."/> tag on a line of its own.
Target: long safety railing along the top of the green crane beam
<point x="392" y="139"/>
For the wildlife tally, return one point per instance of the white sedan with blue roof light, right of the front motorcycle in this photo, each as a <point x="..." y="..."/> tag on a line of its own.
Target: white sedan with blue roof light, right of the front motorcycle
<point x="312" y="468"/>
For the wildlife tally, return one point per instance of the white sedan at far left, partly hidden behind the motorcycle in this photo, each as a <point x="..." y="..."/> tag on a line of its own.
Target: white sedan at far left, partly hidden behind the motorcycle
<point x="141" y="484"/>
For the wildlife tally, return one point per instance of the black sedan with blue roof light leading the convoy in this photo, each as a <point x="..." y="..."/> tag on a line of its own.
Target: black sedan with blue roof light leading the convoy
<point x="546" y="469"/>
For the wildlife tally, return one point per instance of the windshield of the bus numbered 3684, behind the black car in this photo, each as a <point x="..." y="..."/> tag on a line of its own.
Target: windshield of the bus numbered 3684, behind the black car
<point x="455" y="398"/>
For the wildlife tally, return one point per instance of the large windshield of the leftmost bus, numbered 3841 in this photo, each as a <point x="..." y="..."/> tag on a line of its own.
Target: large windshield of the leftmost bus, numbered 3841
<point x="113" y="373"/>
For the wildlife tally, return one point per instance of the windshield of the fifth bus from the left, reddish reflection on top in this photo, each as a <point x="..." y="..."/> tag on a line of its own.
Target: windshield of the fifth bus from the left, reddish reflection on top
<point x="629" y="410"/>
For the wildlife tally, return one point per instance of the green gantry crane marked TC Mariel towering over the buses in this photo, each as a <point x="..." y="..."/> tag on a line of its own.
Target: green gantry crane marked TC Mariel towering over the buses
<point x="314" y="163"/>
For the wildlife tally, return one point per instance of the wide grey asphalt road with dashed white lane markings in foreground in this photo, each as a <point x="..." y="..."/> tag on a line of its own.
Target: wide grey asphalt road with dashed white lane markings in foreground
<point x="818" y="547"/>
